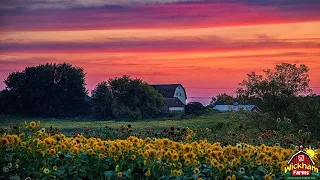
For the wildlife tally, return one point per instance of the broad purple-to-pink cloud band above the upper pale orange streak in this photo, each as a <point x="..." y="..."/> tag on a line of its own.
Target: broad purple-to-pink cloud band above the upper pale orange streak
<point x="166" y="16"/>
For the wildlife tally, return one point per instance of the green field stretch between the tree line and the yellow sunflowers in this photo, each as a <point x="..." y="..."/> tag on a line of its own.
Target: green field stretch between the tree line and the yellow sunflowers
<point x="227" y="128"/>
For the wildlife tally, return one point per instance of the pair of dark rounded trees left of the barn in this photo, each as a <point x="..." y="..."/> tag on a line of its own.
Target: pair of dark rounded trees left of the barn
<point x="58" y="90"/>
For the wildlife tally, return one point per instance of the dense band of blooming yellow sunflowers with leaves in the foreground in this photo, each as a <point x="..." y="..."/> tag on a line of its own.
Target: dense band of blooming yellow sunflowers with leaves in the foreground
<point x="39" y="154"/>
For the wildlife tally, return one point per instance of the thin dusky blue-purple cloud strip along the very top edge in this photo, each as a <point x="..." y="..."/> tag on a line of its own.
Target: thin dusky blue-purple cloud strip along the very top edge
<point x="70" y="4"/>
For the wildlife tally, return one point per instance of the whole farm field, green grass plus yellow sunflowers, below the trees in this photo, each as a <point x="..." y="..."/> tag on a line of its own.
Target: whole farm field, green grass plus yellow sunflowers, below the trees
<point x="217" y="145"/>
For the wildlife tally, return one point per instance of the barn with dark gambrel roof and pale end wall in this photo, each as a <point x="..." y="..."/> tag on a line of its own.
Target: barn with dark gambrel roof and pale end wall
<point x="175" y="96"/>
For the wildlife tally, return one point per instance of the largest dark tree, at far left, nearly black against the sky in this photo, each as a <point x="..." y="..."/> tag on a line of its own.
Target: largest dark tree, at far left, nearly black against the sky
<point x="56" y="90"/>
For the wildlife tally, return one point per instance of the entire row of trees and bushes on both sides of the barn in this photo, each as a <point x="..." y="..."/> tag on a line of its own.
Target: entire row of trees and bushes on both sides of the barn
<point x="58" y="90"/>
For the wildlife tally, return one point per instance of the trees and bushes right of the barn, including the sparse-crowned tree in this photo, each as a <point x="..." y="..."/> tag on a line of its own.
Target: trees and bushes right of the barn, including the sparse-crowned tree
<point x="281" y="93"/>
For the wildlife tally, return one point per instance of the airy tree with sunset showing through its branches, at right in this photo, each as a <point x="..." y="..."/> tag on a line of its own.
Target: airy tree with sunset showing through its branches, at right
<point x="275" y="90"/>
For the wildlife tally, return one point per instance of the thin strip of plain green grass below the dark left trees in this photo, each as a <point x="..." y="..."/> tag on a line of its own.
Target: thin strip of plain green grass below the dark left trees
<point x="69" y="124"/>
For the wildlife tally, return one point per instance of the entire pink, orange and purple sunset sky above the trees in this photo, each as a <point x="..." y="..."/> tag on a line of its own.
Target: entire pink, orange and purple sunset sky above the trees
<point x="208" y="46"/>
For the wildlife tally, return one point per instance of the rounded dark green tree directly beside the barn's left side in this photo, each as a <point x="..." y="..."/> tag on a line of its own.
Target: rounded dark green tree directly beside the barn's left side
<point x="127" y="99"/>
